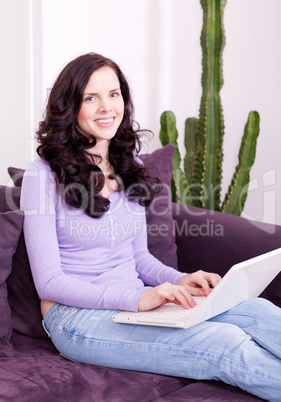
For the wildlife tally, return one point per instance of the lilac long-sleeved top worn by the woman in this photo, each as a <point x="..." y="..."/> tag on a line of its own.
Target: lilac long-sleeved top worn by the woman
<point x="85" y="262"/>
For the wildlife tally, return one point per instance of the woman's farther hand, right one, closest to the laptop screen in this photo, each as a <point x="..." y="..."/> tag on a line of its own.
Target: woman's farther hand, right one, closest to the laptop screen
<point x="198" y="282"/>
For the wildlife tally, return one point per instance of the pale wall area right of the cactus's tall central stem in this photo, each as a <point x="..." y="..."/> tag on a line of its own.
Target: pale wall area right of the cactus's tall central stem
<point x="252" y="62"/>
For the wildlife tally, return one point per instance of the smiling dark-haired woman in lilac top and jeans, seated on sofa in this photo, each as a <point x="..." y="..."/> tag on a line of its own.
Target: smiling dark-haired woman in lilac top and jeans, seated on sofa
<point x="97" y="262"/>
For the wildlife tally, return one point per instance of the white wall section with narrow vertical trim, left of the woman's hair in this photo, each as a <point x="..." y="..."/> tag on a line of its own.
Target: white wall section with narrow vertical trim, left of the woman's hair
<point x="20" y="78"/>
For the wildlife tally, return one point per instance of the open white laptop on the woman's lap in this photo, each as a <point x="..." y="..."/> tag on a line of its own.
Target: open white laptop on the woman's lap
<point x="243" y="281"/>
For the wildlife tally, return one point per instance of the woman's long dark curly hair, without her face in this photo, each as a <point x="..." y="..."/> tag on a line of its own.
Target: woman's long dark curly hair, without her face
<point x="65" y="147"/>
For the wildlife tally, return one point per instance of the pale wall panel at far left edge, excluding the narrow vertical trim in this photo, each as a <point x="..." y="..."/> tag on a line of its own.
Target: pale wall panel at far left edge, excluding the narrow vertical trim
<point x="14" y="76"/>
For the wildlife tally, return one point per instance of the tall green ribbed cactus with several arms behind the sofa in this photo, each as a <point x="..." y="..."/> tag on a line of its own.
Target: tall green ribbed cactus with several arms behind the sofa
<point x="201" y="182"/>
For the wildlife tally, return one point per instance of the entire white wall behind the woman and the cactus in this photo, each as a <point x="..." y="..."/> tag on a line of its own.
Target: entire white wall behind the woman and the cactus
<point x="156" y="43"/>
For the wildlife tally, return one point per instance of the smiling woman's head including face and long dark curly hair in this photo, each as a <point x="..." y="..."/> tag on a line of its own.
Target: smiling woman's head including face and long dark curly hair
<point x="87" y="130"/>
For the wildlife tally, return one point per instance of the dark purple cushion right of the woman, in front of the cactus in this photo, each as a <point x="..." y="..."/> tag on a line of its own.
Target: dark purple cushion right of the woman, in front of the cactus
<point x="160" y="223"/>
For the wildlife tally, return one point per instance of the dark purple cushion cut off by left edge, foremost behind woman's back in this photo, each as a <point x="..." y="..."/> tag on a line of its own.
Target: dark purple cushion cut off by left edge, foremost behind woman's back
<point x="11" y="226"/>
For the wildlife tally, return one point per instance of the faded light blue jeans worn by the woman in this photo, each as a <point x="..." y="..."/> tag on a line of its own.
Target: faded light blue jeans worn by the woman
<point x="241" y="347"/>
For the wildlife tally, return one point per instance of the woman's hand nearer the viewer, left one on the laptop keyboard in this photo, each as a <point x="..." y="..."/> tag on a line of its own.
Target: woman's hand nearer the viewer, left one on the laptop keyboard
<point x="165" y="293"/>
